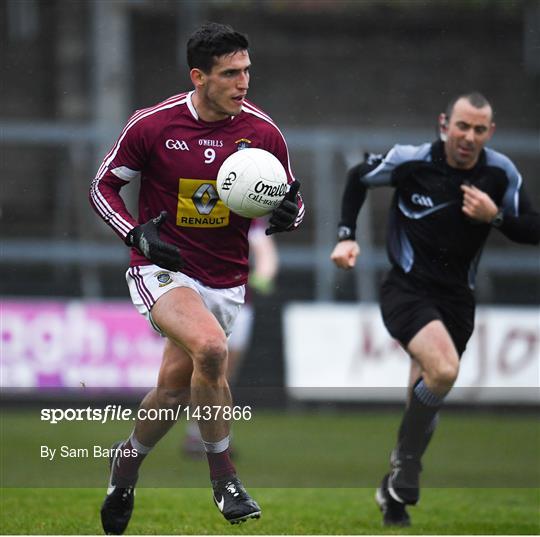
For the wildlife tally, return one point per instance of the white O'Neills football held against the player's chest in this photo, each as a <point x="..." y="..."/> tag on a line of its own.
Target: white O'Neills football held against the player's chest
<point x="251" y="182"/>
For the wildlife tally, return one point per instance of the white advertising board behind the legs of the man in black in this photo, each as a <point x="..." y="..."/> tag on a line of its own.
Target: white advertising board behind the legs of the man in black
<point x="343" y="352"/>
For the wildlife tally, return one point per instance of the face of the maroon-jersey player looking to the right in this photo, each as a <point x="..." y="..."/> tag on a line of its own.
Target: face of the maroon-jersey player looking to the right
<point x="224" y="88"/>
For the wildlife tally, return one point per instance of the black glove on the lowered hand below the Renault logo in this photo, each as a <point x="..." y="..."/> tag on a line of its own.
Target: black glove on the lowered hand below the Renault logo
<point x="146" y="239"/>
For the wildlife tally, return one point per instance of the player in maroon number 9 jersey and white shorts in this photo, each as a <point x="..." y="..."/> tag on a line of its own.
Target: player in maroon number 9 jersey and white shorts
<point x="189" y="256"/>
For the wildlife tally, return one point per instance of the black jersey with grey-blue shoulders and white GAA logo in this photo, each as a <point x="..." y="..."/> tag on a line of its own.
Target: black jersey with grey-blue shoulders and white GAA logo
<point x="429" y="237"/>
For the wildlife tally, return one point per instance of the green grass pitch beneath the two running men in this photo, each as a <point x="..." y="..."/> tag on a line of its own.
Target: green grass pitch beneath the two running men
<point x="311" y="473"/>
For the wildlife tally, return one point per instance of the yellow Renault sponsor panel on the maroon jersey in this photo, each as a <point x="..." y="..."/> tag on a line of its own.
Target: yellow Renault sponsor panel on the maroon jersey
<point x="199" y="204"/>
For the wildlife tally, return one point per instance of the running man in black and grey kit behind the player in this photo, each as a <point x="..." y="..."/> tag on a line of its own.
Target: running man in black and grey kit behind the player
<point x="448" y="196"/>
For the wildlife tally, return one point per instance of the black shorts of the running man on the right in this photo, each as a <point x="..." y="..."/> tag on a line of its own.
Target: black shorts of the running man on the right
<point x="408" y="305"/>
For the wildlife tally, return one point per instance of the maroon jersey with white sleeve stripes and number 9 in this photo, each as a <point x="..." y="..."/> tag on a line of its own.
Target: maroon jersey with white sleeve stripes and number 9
<point x="176" y="156"/>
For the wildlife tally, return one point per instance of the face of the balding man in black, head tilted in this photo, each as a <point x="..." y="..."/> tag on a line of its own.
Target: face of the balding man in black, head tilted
<point x="467" y="132"/>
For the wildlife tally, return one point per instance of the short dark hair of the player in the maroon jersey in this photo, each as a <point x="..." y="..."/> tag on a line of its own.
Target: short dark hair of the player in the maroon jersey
<point x="211" y="41"/>
